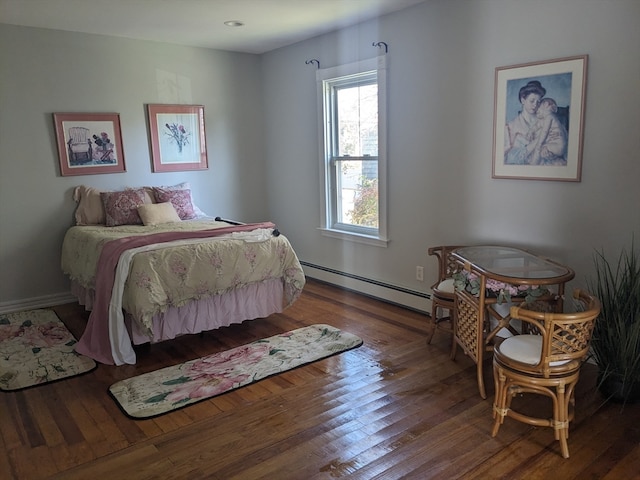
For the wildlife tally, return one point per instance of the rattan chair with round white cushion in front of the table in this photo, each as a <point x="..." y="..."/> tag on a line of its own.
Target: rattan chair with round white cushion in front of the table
<point x="545" y="362"/>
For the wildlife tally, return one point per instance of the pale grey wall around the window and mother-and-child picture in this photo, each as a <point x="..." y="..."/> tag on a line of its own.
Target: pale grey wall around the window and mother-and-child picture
<point x="443" y="56"/>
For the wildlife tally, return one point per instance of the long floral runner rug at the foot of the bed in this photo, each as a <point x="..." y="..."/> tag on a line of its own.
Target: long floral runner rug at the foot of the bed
<point x="163" y="390"/>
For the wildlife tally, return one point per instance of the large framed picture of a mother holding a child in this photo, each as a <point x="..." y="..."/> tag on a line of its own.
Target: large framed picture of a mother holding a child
<point x="538" y="120"/>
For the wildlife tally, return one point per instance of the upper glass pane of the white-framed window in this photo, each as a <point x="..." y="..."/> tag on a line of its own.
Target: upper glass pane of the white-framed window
<point x="357" y="111"/>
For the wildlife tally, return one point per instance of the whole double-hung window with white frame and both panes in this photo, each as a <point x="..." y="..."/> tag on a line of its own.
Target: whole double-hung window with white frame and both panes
<point x="353" y="150"/>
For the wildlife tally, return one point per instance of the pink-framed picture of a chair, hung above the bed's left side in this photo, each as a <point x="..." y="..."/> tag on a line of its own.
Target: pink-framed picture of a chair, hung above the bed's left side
<point x="89" y="143"/>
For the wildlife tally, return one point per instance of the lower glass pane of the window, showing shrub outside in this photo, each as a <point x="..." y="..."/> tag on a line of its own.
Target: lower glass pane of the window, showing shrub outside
<point x="358" y="192"/>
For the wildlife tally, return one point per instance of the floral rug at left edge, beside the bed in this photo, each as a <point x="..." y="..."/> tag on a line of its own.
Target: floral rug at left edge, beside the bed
<point x="36" y="348"/>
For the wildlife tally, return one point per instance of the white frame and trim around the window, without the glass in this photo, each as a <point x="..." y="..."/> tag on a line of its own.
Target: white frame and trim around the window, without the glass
<point x="328" y="226"/>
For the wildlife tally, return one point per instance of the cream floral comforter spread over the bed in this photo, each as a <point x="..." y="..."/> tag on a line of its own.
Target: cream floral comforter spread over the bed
<point x="174" y="275"/>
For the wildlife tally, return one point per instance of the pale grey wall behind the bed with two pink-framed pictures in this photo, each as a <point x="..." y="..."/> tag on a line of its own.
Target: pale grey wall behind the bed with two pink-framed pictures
<point x="46" y="71"/>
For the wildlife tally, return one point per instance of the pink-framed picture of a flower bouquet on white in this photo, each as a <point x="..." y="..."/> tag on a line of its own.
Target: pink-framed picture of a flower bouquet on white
<point x="178" y="141"/>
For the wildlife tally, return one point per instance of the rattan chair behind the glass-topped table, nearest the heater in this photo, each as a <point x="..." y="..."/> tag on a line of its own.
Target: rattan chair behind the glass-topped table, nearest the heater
<point x="443" y="294"/>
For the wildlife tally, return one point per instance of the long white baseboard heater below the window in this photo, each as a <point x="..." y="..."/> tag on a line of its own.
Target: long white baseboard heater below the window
<point x="413" y="299"/>
